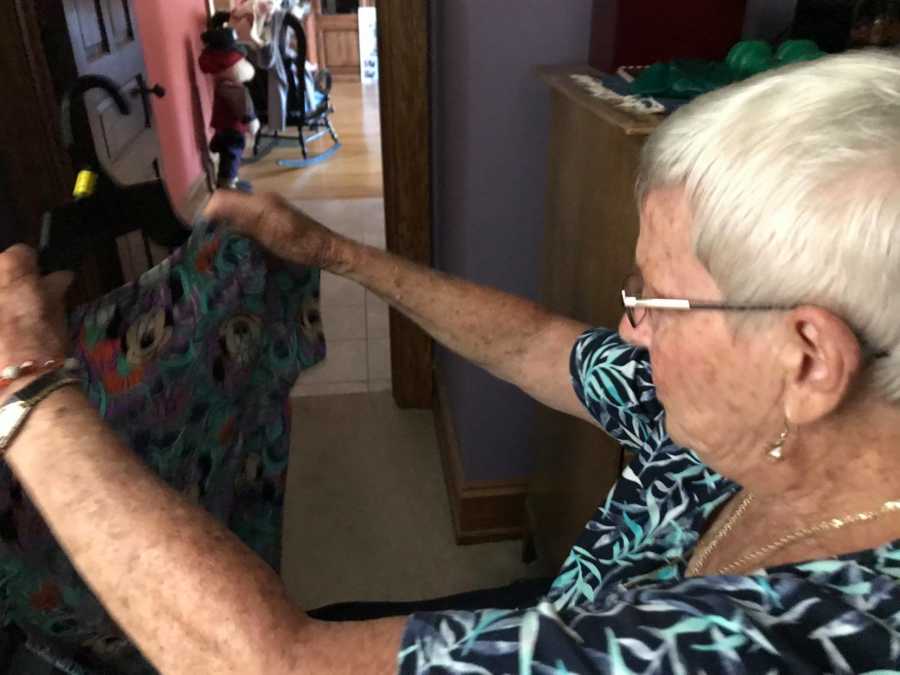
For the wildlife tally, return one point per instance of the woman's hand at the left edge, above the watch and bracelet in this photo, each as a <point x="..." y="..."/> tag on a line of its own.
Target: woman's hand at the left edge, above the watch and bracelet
<point x="32" y="309"/>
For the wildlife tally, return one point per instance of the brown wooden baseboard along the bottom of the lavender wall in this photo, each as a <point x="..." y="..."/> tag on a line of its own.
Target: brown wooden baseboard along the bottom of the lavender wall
<point x="482" y="511"/>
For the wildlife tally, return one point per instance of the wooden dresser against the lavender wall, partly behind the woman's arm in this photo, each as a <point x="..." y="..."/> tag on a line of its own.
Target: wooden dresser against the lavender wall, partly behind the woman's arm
<point x="591" y="230"/>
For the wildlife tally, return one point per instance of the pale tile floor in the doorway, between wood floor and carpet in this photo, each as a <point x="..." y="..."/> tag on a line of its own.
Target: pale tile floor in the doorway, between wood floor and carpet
<point x="355" y="320"/>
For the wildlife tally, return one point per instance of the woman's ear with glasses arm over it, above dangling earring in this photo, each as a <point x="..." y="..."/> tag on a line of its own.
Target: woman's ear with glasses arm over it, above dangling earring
<point x="821" y="362"/>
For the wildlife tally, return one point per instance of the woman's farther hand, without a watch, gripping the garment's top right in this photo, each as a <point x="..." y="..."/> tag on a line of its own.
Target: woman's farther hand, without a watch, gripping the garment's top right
<point x="281" y="228"/>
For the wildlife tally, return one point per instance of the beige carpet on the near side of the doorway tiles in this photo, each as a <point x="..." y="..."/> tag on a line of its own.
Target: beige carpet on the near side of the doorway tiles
<point x="367" y="516"/>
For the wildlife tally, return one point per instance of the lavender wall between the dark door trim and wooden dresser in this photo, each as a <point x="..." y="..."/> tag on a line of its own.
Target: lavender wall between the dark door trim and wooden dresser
<point x="491" y="130"/>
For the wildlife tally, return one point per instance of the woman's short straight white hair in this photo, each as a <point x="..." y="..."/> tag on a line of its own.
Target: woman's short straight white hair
<point x="793" y="178"/>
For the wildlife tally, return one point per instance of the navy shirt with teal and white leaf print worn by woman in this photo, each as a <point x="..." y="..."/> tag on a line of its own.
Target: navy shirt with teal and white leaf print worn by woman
<point x="622" y="603"/>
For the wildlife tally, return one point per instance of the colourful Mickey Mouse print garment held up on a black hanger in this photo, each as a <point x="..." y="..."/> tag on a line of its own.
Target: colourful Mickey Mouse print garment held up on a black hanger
<point x="192" y="366"/>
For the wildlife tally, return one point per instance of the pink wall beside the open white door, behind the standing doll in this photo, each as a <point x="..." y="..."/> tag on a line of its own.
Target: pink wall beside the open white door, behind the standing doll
<point x="170" y="30"/>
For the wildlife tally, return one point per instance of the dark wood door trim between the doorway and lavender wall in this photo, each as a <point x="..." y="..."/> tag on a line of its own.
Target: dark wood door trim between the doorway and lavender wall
<point x="403" y="46"/>
